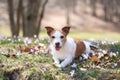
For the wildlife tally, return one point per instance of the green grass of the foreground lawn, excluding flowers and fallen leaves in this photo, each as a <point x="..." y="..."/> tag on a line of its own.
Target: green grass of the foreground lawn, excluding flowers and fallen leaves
<point x="39" y="67"/>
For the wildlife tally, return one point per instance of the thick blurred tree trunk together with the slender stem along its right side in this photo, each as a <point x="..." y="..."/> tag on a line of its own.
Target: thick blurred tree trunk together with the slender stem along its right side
<point x="32" y="17"/>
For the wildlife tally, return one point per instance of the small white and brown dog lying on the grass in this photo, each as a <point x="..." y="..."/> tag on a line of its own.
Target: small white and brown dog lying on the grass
<point x="65" y="49"/>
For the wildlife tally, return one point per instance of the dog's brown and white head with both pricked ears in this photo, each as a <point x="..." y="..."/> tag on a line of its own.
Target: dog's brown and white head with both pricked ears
<point x="57" y="37"/>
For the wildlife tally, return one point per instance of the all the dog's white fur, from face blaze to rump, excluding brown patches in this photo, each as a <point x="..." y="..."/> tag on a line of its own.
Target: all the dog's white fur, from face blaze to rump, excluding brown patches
<point x="67" y="51"/>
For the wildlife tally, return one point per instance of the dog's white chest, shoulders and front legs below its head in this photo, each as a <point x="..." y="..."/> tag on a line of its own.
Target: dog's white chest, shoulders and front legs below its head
<point x="66" y="53"/>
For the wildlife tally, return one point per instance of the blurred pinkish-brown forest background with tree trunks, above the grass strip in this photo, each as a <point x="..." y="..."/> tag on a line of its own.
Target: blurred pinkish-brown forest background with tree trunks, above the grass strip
<point x="30" y="16"/>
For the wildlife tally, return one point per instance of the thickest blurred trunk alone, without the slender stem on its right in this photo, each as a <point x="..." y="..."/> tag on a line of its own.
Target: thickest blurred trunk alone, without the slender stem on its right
<point x="30" y="17"/>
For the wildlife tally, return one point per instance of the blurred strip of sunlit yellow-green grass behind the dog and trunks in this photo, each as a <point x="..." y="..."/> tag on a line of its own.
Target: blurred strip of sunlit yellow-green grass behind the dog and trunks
<point x="5" y="31"/>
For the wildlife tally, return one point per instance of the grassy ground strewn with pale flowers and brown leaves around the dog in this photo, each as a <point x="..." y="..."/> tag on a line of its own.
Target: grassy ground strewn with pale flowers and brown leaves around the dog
<point x="29" y="59"/>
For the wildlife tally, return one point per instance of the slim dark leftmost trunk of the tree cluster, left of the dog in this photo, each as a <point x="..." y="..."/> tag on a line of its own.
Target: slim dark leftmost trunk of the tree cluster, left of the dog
<point x="11" y="18"/>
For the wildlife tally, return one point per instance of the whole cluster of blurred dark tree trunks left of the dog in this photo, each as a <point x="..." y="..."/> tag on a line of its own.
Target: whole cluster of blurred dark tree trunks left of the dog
<point x="30" y="15"/>
